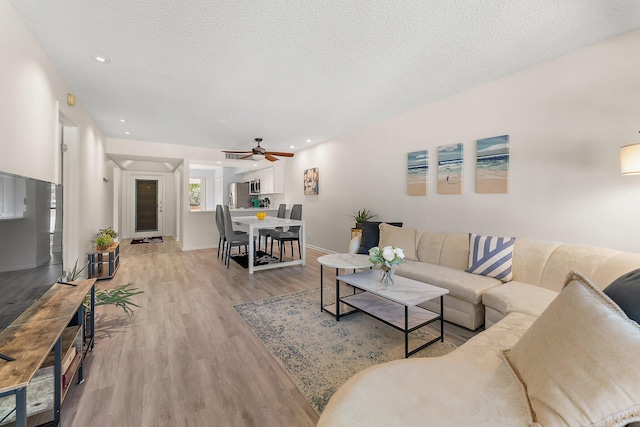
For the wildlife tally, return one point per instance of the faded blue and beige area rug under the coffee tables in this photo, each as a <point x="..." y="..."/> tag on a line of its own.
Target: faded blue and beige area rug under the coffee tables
<point x="318" y="353"/>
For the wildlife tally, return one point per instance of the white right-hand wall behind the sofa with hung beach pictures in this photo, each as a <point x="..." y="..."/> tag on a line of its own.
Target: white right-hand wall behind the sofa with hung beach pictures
<point x="566" y="119"/>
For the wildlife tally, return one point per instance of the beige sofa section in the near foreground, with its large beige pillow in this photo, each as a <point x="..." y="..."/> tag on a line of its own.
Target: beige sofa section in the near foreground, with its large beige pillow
<point x="574" y="365"/>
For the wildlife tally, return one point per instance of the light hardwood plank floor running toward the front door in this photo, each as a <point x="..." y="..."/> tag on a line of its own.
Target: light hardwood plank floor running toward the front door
<point x="186" y="358"/>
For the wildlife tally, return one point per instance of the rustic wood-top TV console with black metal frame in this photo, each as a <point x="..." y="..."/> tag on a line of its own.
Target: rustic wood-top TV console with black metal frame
<point x="43" y="327"/>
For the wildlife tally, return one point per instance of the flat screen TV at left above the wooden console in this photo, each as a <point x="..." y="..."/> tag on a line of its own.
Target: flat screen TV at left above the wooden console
<point x="30" y="242"/>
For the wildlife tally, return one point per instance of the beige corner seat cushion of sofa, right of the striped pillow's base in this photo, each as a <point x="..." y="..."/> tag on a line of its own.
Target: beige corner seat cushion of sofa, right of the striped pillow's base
<point x="518" y="297"/>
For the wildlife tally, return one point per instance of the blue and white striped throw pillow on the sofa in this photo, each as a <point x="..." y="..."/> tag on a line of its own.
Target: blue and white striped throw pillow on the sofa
<point x="491" y="256"/>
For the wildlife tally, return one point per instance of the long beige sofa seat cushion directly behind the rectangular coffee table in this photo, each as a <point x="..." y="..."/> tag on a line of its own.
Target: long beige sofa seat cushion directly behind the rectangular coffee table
<point x="465" y="286"/>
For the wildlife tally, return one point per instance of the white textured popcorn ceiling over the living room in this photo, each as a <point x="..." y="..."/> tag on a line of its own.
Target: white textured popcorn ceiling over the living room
<point x="219" y="73"/>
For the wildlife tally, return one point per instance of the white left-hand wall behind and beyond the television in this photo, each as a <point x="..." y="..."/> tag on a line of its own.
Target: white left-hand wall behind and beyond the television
<point x="33" y="99"/>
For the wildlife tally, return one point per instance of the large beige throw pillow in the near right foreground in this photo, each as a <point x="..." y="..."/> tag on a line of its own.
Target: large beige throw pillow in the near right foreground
<point x="577" y="363"/>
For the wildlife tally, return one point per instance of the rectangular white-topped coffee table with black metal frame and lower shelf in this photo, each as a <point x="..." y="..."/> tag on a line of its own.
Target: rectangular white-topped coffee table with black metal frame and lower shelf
<point x="396" y="304"/>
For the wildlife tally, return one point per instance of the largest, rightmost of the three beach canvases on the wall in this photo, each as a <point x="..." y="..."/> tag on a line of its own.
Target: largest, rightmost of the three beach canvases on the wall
<point x="492" y="167"/>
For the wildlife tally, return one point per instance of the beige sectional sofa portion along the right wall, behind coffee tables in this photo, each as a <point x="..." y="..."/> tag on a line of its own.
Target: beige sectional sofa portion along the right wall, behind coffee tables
<point x="539" y="269"/>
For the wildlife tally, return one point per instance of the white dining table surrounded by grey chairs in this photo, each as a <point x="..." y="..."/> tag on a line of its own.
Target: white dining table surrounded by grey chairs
<point x="252" y="224"/>
